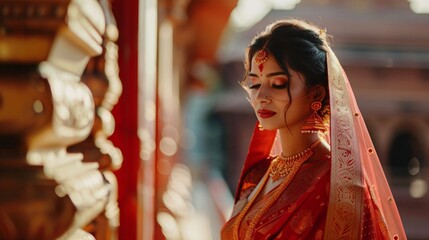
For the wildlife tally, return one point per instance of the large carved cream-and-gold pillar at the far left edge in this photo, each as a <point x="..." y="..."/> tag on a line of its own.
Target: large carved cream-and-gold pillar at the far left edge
<point x="46" y="192"/>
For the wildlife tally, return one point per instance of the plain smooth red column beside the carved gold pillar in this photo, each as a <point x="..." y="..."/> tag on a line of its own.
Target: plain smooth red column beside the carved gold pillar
<point x="125" y="113"/>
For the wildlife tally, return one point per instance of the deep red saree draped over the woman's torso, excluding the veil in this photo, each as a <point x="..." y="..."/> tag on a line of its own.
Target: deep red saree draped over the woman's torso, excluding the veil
<point x="298" y="212"/>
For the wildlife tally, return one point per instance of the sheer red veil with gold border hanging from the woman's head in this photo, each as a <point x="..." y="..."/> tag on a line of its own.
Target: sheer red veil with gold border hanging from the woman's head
<point x="356" y="172"/>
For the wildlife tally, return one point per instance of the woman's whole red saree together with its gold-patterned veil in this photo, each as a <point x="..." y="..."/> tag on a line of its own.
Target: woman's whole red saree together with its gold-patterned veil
<point x="341" y="196"/>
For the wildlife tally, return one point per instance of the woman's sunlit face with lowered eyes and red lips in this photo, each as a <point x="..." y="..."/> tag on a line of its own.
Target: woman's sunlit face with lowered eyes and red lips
<point x="278" y="100"/>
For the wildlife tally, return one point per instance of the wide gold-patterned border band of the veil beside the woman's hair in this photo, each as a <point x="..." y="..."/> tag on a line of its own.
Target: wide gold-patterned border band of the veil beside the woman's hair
<point x="345" y="204"/>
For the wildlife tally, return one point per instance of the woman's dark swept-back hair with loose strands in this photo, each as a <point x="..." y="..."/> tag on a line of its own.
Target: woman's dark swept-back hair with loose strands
<point x="298" y="45"/>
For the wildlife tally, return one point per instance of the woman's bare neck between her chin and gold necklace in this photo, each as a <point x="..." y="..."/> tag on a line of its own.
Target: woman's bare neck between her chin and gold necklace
<point x="295" y="142"/>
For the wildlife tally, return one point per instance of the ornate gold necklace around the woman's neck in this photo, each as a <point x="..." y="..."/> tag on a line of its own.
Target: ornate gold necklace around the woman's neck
<point x="283" y="166"/>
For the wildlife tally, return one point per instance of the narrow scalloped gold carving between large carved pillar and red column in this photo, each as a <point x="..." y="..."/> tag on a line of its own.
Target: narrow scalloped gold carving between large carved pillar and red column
<point x="102" y="78"/>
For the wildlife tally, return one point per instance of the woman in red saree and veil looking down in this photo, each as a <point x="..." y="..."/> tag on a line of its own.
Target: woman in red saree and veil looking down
<point x="311" y="171"/>
